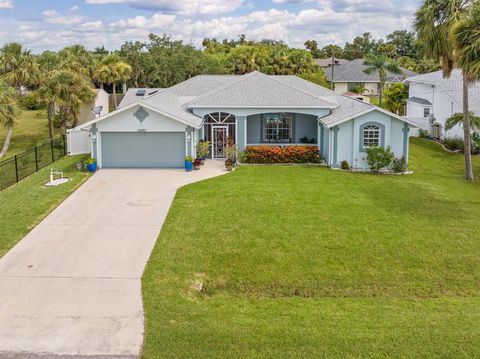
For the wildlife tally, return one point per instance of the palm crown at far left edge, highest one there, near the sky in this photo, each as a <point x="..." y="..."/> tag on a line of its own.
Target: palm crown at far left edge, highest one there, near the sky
<point x="17" y="66"/>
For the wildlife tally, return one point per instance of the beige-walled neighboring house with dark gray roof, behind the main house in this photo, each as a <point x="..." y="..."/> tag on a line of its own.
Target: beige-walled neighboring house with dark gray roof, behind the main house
<point x="349" y="76"/>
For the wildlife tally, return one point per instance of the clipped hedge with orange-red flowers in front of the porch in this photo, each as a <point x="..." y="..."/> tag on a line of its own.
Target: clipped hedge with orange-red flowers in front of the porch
<point x="277" y="154"/>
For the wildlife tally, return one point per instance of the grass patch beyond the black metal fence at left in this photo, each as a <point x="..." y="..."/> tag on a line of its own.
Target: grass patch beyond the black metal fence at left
<point x="31" y="129"/>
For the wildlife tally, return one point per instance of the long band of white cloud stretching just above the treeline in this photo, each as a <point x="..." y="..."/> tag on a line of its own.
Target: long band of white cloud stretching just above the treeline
<point x="322" y="20"/>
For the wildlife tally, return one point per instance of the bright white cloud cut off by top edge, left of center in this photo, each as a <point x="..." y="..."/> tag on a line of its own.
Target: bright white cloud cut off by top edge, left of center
<point x="184" y="7"/>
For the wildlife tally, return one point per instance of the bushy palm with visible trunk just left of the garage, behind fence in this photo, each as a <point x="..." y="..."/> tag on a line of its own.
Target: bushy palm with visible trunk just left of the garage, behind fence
<point x="63" y="92"/>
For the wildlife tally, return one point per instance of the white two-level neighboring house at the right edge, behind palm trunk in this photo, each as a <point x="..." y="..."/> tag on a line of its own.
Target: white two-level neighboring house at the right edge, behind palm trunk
<point x="433" y="99"/>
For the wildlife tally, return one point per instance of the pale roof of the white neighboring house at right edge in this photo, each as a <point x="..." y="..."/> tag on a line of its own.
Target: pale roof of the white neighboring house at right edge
<point x="453" y="87"/>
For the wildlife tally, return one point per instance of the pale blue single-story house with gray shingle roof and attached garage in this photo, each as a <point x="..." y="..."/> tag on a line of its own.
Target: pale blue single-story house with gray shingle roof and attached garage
<point x="159" y="130"/>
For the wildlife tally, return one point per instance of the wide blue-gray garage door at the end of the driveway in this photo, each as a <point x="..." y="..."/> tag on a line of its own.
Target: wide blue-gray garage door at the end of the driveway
<point x="143" y="150"/>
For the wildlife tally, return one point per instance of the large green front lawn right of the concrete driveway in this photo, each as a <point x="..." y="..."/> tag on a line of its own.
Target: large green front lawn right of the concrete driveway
<point x="282" y="262"/>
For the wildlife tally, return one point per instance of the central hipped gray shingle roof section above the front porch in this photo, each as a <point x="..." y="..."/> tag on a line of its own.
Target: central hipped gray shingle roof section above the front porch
<point x="259" y="90"/>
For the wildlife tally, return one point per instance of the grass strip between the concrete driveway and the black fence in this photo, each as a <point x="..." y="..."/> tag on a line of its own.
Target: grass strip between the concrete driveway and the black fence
<point x="25" y="204"/>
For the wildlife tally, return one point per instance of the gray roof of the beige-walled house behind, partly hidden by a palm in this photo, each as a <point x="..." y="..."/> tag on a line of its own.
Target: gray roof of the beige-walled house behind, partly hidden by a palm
<point x="354" y="72"/>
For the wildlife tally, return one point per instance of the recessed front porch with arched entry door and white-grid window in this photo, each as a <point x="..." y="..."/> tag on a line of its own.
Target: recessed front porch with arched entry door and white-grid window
<point x="272" y="128"/>
